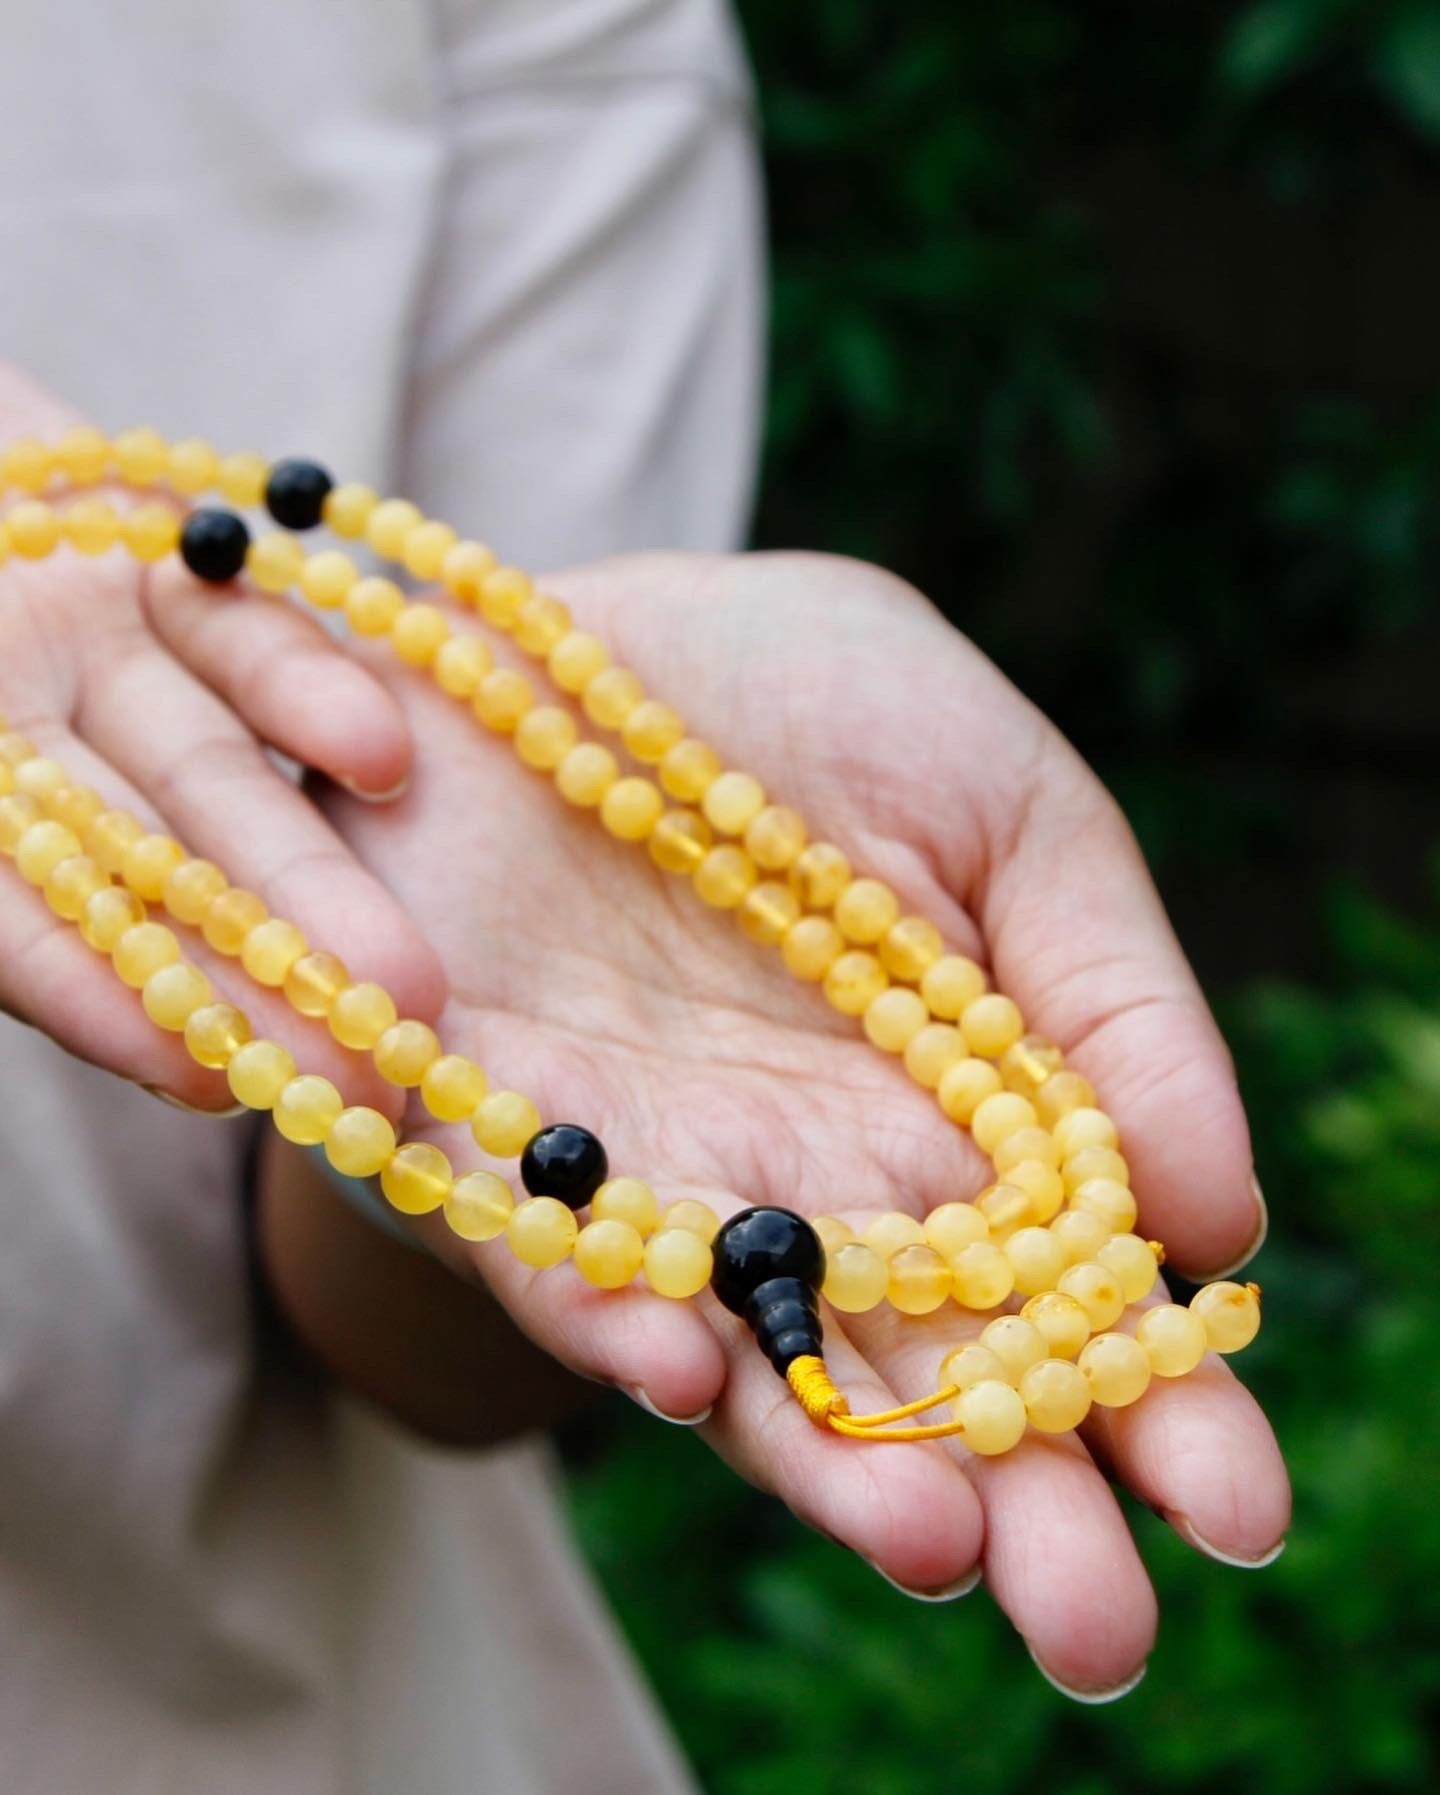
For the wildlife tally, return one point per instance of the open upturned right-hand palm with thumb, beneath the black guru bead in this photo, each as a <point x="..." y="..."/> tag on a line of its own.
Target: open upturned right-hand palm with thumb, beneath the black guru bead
<point x="608" y="992"/>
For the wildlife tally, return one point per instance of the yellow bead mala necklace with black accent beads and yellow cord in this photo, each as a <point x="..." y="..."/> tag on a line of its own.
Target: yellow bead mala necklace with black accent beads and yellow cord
<point x="1055" y="1227"/>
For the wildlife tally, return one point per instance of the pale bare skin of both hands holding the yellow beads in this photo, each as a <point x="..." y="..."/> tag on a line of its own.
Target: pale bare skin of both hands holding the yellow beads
<point x="579" y="974"/>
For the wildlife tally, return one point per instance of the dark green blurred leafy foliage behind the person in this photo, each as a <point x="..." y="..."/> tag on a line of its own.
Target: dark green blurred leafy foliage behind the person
<point x="1040" y="346"/>
